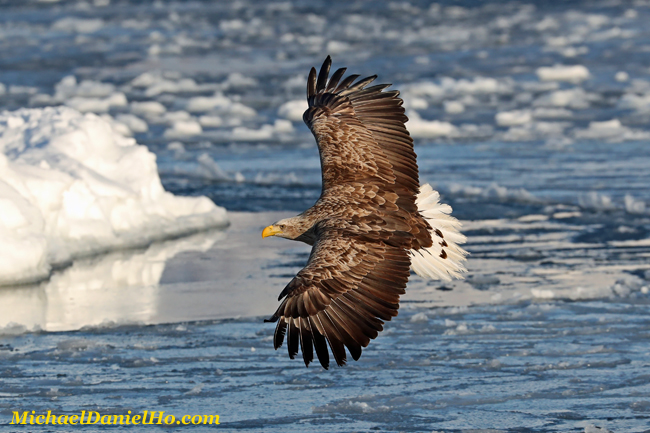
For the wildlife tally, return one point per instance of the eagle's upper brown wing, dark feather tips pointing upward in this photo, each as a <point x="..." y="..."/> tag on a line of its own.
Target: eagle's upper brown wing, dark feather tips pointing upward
<point x="361" y="135"/>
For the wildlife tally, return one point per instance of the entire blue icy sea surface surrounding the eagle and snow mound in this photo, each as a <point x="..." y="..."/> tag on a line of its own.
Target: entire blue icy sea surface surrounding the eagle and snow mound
<point x="547" y="168"/>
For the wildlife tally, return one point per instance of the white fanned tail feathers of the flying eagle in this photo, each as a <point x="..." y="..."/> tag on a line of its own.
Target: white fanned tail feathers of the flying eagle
<point x="444" y="259"/>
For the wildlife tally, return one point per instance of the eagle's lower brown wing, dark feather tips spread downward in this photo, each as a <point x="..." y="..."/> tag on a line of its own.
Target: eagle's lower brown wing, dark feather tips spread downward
<point x="350" y="286"/>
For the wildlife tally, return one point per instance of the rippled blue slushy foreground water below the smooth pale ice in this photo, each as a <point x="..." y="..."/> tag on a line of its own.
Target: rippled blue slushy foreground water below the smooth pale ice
<point x="530" y="367"/>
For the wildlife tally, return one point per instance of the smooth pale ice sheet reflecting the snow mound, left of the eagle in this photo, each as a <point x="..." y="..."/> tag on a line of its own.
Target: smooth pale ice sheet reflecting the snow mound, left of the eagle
<point x="215" y="274"/>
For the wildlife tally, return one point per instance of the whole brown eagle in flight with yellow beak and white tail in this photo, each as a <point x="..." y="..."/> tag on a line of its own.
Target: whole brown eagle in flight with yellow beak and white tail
<point x="372" y="224"/>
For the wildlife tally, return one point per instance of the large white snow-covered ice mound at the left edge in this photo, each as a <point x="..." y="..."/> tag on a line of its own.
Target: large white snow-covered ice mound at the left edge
<point x="70" y="185"/>
